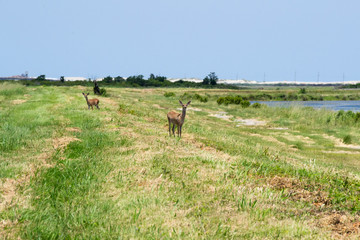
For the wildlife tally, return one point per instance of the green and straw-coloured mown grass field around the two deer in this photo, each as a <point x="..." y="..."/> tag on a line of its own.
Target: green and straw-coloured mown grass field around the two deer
<point x="114" y="173"/>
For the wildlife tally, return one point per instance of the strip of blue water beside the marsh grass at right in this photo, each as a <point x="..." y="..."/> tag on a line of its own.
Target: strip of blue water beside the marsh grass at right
<point x="331" y="105"/>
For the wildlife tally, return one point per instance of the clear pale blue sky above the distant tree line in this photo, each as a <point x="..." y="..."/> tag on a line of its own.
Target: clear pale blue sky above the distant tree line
<point x="271" y="40"/>
